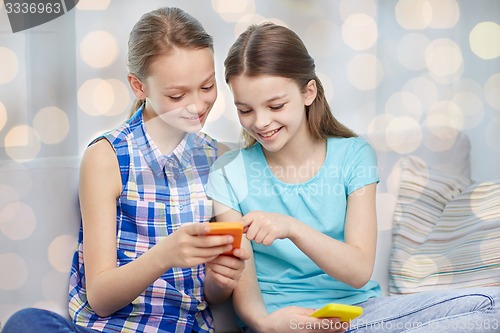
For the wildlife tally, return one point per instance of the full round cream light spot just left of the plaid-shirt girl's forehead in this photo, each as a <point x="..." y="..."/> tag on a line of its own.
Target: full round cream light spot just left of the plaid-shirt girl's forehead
<point x="99" y="49"/>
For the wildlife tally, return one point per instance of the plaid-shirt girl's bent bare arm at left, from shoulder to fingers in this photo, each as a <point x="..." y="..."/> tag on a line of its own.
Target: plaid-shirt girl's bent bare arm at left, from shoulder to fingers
<point x="109" y="288"/>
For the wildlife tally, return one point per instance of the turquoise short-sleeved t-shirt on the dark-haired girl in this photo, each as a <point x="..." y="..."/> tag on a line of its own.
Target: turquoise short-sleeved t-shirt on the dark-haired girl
<point x="243" y="181"/>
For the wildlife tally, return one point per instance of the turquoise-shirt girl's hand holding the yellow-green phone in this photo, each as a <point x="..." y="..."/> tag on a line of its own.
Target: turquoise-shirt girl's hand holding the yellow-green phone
<point x="298" y="320"/>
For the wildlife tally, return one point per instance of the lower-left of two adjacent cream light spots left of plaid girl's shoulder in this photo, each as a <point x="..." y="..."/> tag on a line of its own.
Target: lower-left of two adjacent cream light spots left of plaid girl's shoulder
<point x="22" y="143"/>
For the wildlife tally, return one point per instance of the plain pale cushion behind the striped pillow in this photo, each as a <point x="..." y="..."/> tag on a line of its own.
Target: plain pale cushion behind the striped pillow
<point x="443" y="148"/>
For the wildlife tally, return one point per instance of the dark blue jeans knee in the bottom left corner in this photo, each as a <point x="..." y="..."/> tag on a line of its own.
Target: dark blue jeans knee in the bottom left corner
<point x="41" y="321"/>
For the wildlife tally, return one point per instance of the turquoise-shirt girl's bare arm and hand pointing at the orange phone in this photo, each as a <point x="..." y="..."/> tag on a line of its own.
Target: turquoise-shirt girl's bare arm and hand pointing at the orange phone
<point x="351" y="261"/>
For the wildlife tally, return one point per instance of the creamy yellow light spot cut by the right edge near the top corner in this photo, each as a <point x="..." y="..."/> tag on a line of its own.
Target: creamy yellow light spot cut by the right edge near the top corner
<point x="484" y="40"/>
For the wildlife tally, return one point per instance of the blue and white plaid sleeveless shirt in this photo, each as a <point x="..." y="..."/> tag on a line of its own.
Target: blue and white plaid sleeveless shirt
<point x="160" y="193"/>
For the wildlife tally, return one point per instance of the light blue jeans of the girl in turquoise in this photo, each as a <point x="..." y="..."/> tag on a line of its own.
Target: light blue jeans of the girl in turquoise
<point x="452" y="310"/>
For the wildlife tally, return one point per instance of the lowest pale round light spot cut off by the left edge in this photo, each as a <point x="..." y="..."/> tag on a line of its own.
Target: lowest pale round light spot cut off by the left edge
<point x="14" y="271"/>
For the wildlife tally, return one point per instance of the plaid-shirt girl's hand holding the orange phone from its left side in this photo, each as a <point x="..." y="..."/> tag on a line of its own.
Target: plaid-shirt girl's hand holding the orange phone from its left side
<point x="185" y="248"/>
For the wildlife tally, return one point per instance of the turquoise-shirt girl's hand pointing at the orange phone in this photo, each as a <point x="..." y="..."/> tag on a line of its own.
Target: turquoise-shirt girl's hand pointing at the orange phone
<point x="265" y="228"/>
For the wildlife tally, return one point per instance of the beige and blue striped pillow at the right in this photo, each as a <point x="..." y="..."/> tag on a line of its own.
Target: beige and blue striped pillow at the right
<point x="446" y="232"/>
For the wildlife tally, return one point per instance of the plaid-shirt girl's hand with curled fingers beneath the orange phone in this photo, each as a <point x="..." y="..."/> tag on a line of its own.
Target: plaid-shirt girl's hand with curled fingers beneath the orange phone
<point x="226" y="270"/>
